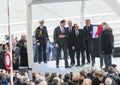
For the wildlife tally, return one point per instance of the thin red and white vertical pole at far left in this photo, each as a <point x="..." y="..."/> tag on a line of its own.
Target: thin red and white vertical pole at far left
<point x="10" y="41"/>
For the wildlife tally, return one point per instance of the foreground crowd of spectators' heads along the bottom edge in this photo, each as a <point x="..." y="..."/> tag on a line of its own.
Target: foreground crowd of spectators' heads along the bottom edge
<point x="84" y="77"/>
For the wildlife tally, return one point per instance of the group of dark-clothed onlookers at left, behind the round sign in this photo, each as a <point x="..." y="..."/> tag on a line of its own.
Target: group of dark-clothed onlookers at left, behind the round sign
<point x="19" y="52"/>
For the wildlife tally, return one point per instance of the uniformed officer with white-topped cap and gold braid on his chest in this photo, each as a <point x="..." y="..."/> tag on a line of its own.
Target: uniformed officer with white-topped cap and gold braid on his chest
<point x="41" y="37"/>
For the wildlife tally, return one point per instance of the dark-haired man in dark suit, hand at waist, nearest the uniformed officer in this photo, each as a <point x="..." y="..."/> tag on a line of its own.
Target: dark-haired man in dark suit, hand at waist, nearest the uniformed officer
<point x="60" y="39"/>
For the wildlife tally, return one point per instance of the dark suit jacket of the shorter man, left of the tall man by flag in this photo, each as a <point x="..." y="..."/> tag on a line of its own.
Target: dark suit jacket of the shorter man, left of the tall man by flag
<point x="79" y="41"/>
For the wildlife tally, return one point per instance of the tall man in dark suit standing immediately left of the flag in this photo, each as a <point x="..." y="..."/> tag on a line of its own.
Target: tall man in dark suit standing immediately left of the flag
<point x="89" y="41"/>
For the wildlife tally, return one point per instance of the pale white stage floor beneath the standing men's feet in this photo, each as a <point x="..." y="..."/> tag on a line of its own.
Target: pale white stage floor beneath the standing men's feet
<point x="51" y="66"/>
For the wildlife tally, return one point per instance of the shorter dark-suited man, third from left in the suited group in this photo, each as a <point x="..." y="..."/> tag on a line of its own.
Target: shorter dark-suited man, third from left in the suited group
<point x="79" y="44"/>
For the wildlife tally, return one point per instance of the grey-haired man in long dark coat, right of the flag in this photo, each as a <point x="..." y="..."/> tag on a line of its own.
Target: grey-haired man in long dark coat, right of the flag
<point x="107" y="42"/>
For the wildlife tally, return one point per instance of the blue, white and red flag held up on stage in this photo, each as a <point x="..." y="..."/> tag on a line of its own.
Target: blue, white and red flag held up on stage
<point x="96" y="29"/>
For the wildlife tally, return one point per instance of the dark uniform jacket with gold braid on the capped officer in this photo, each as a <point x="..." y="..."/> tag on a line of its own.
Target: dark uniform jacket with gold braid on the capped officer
<point x="41" y="34"/>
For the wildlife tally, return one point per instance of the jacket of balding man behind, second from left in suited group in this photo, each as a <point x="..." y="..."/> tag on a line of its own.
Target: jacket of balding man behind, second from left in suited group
<point x="70" y="37"/>
